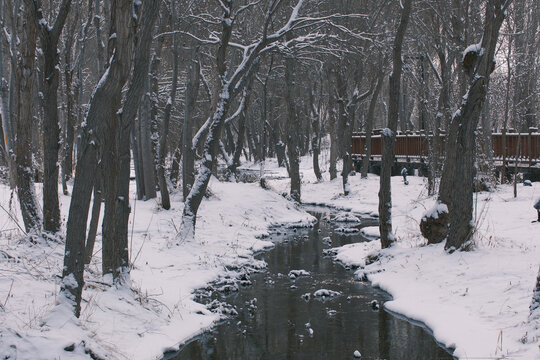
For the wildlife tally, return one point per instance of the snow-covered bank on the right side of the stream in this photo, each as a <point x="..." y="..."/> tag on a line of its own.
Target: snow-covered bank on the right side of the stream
<point x="476" y="302"/>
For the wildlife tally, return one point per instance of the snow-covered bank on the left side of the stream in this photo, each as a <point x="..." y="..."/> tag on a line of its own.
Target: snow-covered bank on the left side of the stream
<point x="158" y="312"/>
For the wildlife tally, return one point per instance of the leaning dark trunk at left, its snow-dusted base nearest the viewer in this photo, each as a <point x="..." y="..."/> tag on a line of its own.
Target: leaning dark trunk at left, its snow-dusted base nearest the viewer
<point x="92" y="134"/>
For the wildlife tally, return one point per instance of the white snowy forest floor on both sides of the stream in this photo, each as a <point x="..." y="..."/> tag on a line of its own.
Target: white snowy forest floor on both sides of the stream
<point x="477" y="302"/>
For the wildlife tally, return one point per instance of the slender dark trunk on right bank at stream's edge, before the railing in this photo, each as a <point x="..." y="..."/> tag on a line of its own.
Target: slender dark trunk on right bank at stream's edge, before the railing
<point x="389" y="134"/>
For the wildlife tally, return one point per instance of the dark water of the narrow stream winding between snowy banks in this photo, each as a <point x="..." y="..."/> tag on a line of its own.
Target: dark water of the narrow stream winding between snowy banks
<point x="274" y="325"/>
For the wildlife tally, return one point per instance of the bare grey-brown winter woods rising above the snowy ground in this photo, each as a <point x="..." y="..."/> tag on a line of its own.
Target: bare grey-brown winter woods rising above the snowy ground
<point x="119" y="101"/>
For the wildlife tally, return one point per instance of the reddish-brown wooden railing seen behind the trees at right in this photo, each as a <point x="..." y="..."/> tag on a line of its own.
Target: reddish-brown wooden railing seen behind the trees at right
<point x="522" y="147"/>
